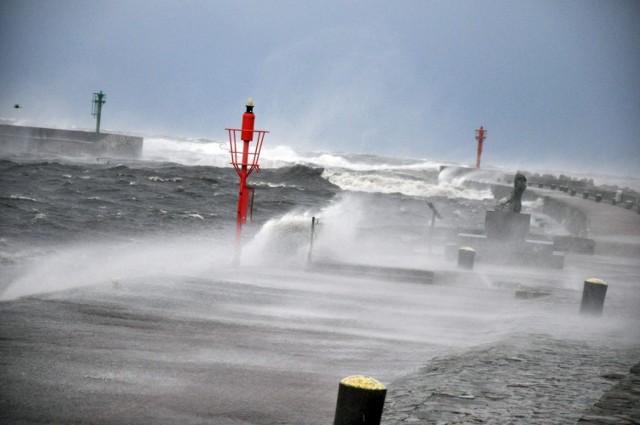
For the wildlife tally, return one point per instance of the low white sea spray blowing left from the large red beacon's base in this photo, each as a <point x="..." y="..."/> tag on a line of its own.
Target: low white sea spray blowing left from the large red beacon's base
<point x="83" y="264"/>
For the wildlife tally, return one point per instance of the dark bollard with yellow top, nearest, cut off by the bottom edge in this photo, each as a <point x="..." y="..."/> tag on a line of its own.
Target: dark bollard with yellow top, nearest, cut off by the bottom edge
<point x="360" y="401"/>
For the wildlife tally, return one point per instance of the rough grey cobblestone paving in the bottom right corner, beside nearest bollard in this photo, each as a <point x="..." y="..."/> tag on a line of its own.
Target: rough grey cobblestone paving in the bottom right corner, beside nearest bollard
<point x="532" y="380"/>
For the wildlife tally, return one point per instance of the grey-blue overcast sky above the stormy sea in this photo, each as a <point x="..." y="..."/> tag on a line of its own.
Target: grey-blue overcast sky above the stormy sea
<point x="556" y="83"/>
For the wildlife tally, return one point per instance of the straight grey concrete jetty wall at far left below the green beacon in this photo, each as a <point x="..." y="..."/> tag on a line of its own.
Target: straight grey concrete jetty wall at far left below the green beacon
<point x="39" y="140"/>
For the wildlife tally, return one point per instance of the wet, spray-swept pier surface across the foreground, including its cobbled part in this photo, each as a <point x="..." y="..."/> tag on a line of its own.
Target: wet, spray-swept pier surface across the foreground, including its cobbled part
<point x="269" y="346"/>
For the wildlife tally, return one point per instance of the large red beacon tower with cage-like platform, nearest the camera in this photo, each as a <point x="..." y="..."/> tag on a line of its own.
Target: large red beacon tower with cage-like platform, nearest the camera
<point x="244" y="159"/>
